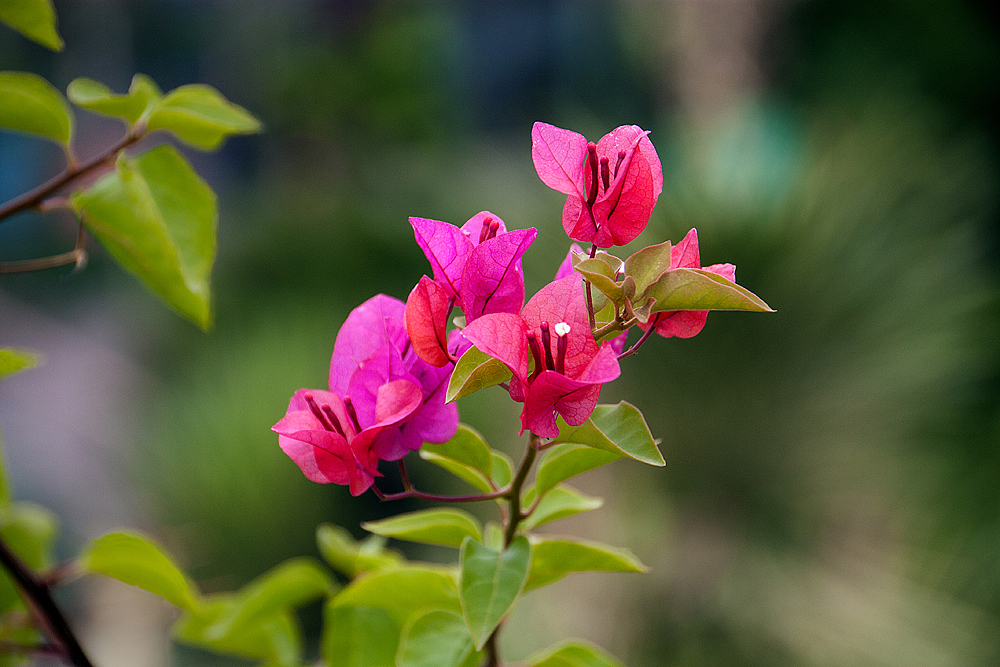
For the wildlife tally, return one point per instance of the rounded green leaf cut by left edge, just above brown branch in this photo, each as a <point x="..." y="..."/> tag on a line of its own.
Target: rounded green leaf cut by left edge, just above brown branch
<point x="29" y="103"/>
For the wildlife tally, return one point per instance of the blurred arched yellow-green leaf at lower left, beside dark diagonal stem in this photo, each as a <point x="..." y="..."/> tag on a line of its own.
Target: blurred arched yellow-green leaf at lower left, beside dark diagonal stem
<point x="137" y="560"/>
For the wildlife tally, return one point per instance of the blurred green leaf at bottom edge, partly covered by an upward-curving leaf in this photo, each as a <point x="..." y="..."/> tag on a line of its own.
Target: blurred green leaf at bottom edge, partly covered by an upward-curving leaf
<point x="275" y="638"/>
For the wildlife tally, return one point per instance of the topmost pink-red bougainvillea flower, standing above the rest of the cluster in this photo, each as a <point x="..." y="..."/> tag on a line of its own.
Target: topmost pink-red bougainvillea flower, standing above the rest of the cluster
<point x="612" y="186"/>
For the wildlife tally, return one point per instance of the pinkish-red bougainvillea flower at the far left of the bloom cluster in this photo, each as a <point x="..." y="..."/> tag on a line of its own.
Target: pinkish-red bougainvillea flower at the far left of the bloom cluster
<point x="321" y="433"/>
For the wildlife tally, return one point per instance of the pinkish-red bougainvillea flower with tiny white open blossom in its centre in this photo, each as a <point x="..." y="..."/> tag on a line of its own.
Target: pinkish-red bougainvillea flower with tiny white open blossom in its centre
<point x="556" y="364"/>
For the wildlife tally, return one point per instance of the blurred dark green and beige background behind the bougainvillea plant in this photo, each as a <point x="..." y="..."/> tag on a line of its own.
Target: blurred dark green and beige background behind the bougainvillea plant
<point x="832" y="493"/>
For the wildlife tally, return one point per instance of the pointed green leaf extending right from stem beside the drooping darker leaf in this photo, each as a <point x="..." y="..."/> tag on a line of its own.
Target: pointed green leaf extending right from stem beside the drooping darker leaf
<point x="553" y="559"/>
